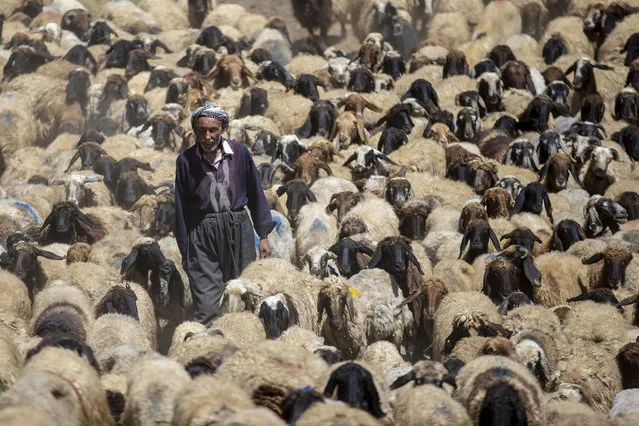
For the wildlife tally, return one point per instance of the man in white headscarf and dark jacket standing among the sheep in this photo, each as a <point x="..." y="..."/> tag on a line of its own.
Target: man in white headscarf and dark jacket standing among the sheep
<point x="215" y="181"/>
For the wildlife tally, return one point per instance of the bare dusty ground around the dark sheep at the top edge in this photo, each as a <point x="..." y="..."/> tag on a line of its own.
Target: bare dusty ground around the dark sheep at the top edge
<point x="284" y="9"/>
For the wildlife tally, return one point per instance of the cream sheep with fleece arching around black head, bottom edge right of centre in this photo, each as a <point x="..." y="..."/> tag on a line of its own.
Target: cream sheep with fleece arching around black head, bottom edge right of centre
<point x="486" y="382"/>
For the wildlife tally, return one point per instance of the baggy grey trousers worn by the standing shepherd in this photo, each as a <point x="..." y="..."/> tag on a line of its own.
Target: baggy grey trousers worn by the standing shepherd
<point x="219" y="249"/>
